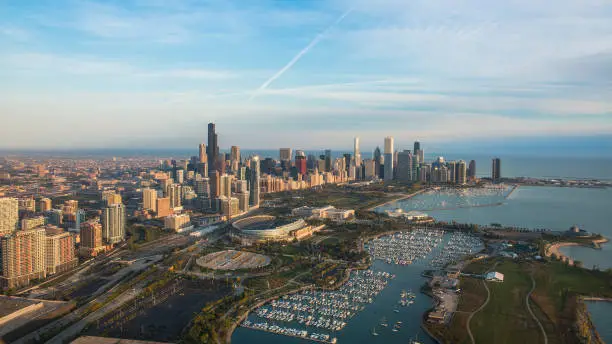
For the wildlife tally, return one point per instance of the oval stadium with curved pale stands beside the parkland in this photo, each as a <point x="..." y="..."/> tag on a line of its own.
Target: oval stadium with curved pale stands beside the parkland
<point x="262" y="228"/>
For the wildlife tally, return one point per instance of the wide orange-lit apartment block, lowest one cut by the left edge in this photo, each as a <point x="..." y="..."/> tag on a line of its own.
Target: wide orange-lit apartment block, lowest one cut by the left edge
<point x="22" y="257"/>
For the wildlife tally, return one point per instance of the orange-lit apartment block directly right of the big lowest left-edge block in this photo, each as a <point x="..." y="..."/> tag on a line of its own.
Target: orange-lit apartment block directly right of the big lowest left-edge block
<point x="59" y="251"/>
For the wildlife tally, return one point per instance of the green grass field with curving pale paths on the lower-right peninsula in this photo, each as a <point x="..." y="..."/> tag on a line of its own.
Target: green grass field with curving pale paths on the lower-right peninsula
<point x="505" y="319"/>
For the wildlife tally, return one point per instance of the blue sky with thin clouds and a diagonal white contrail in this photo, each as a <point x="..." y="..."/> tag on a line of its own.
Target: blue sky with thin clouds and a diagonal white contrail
<point x="303" y="74"/>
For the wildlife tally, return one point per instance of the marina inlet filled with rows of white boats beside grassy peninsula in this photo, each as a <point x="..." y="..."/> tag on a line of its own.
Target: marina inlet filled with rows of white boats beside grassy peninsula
<point x="325" y="316"/>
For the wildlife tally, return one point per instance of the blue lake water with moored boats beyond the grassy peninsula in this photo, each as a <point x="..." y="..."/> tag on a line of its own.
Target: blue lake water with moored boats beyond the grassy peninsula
<point x="554" y="208"/>
